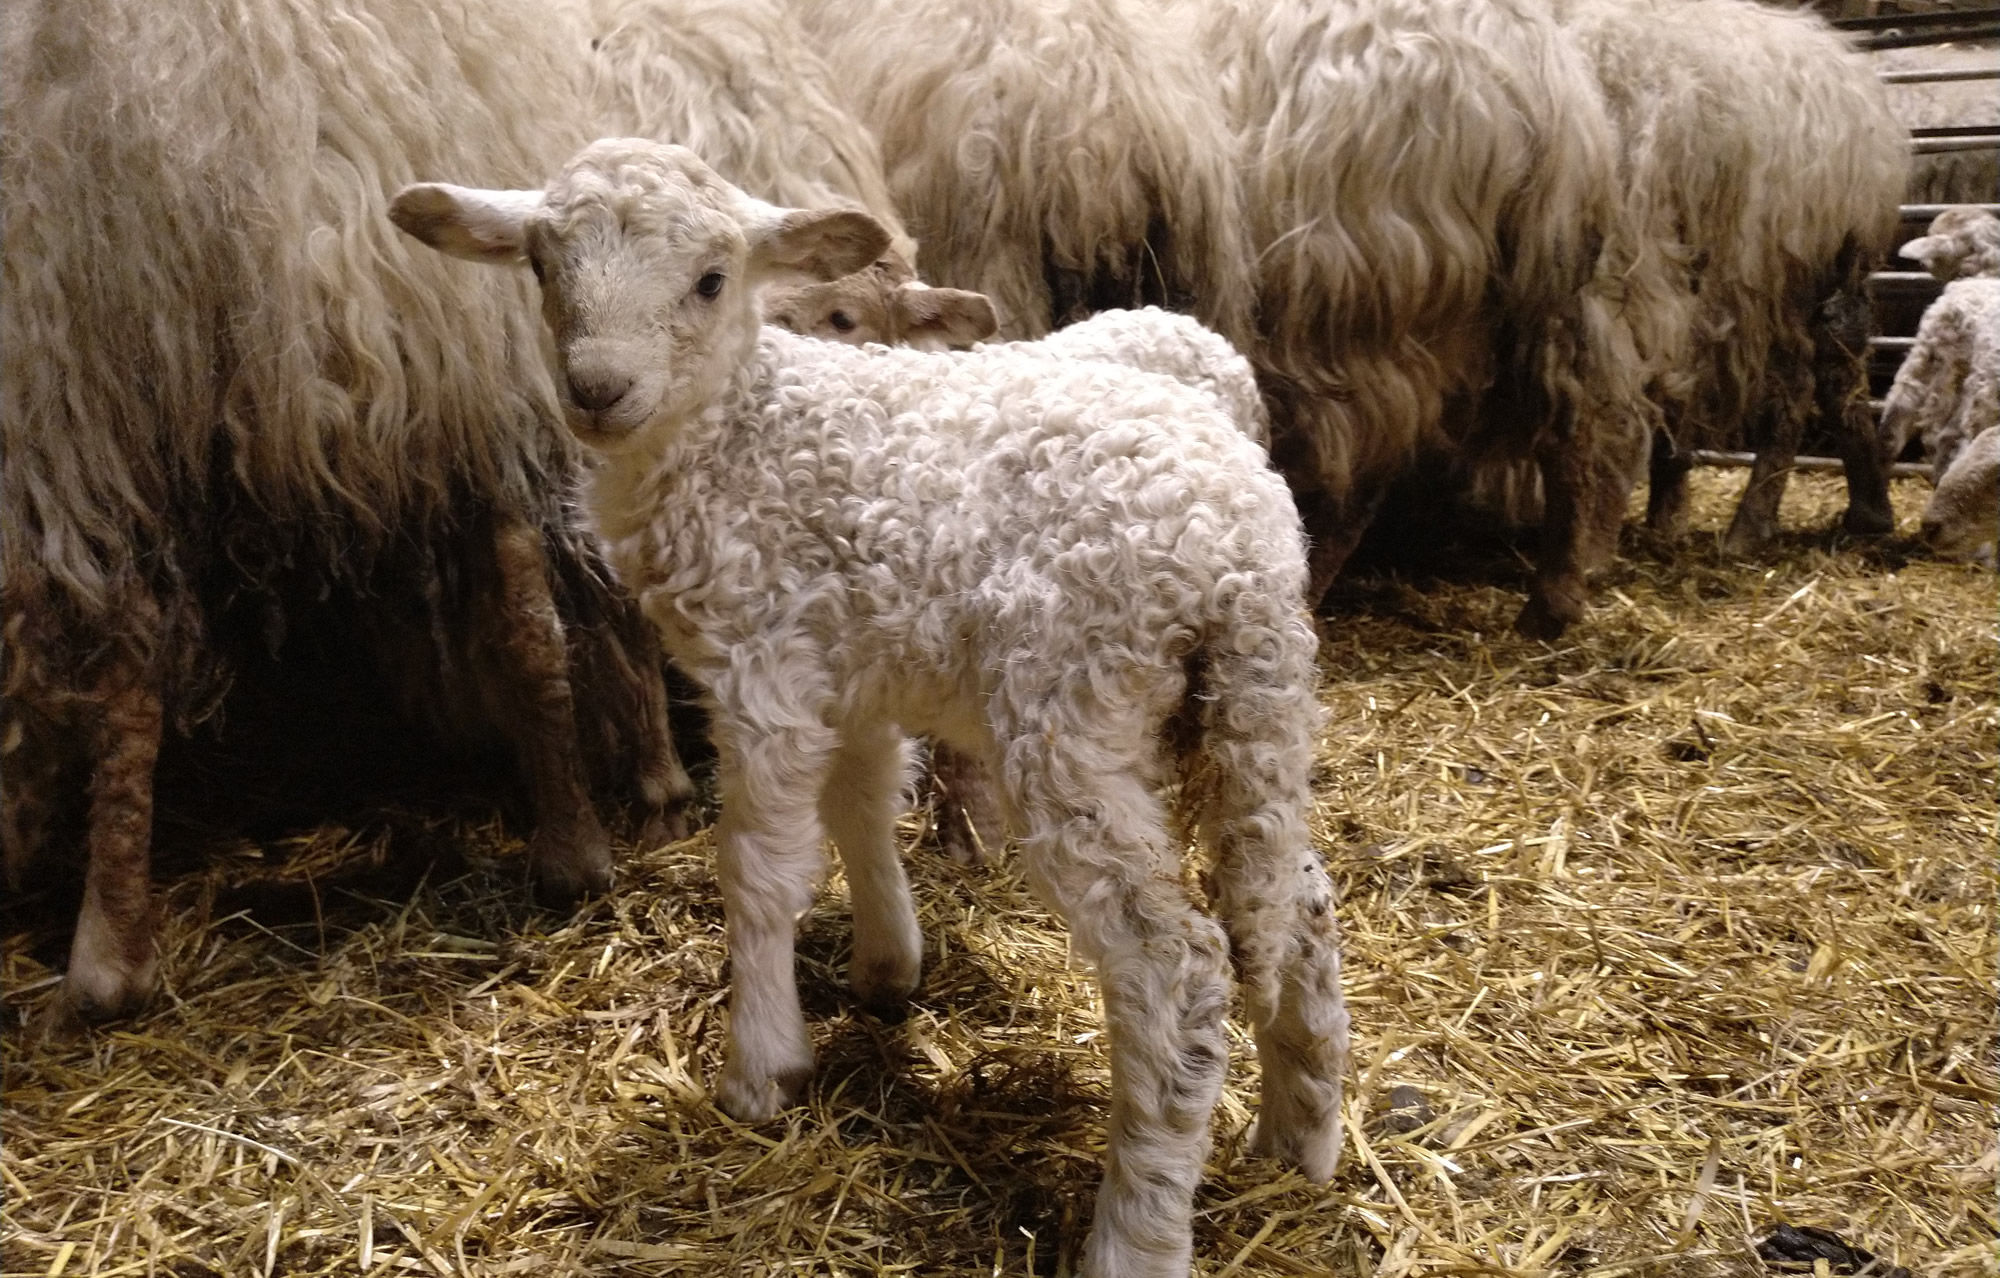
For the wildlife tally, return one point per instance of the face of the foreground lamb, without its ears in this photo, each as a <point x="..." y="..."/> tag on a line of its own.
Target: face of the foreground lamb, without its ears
<point x="647" y="289"/>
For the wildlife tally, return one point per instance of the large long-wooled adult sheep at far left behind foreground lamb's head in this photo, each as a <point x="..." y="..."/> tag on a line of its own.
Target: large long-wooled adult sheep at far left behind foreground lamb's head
<point x="227" y="393"/>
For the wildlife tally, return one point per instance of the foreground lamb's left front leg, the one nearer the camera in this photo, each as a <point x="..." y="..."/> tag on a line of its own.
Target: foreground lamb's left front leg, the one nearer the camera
<point x="769" y="861"/>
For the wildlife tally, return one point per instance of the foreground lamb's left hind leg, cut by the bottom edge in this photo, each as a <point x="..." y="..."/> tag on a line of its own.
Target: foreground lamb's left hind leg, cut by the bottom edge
<point x="1097" y="851"/>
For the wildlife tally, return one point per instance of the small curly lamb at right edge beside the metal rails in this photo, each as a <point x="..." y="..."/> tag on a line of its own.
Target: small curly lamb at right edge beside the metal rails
<point x="1949" y="385"/>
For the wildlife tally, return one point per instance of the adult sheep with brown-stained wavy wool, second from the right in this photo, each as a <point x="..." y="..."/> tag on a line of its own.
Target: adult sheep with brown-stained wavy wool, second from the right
<point x="1431" y="189"/>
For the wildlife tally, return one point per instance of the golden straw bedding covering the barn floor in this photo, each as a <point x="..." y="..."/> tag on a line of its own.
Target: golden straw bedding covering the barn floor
<point x="1653" y="941"/>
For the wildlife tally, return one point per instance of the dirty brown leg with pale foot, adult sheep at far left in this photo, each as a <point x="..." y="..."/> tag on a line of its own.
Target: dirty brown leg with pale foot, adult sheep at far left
<point x="115" y="961"/>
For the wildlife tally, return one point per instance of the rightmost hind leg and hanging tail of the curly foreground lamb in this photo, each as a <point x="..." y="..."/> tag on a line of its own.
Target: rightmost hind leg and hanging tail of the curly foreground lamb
<point x="1257" y="717"/>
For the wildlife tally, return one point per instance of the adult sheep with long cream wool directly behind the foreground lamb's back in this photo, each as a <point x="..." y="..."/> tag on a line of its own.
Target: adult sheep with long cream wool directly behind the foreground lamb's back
<point x="1061" y="157"/>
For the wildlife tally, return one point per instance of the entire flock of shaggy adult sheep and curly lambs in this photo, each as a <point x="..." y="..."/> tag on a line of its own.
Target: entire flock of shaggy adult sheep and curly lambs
<point x="1541" y="245"/>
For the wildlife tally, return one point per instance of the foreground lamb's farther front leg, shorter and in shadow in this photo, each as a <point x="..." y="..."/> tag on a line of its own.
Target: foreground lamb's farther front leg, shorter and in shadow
<point x="859" y="807"/>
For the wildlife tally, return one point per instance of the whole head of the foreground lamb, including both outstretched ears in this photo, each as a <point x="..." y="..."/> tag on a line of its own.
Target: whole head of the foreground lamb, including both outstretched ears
<point x="649" y="265"/>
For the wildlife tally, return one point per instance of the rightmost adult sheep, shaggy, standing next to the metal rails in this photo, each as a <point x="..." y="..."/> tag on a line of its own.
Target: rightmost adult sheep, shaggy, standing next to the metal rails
<point x="1773" y="207"/>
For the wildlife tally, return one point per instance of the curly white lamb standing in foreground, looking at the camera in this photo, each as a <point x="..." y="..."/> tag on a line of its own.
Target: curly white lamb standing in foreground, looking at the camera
<point x="1061" y="569"/>
